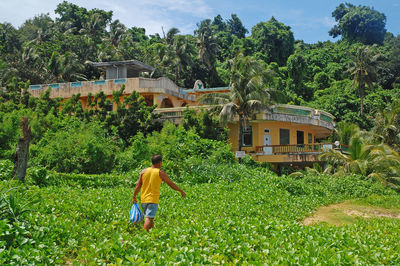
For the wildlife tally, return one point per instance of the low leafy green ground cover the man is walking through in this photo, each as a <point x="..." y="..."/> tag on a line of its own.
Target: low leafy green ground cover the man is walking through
<point x="258" y="219"/>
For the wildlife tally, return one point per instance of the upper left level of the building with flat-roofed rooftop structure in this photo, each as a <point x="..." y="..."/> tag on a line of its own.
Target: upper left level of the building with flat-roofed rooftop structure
<point x="161" y="91"/>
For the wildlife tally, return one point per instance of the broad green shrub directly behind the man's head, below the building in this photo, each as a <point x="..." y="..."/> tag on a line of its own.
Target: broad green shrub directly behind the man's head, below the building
<point x="179" y="148"/>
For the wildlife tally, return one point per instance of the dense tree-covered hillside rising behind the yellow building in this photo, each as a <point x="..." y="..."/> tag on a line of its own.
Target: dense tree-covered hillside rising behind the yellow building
<point x="322" y="75"/>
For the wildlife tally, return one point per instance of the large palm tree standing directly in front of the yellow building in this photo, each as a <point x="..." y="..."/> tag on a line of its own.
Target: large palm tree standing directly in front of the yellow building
<point x="248" y="94"/>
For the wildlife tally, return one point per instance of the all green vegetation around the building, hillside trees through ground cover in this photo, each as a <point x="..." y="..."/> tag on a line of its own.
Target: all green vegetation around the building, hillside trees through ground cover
<point x="83" y="164"/>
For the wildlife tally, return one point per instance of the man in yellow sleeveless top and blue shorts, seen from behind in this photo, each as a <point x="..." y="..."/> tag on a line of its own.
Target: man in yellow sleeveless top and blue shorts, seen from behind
<point x="149" y="184"/>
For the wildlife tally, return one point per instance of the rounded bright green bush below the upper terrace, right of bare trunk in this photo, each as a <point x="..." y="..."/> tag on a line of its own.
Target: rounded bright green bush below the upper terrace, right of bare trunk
<point x="79" y="148"/>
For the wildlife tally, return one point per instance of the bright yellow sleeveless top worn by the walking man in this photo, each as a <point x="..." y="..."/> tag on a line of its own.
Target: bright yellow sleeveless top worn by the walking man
<point x="151" y="183"/>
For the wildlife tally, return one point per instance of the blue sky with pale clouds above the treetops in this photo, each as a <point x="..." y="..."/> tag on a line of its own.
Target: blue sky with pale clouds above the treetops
<point x="310" y="20"/>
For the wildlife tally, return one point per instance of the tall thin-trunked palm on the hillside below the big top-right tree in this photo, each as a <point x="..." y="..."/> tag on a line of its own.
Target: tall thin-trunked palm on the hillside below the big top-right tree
<point x="363" y="69"/>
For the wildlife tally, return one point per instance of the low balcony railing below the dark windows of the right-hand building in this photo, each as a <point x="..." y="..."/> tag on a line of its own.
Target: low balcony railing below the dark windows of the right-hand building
<point x="299" y="148"/>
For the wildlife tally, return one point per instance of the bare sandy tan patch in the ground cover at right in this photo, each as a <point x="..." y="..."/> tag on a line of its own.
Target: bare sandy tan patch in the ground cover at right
<point x="347" y="213"/>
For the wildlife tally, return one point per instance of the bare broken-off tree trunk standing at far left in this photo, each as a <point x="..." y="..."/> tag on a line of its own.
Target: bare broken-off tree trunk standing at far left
<point x="22" y="152"/>
